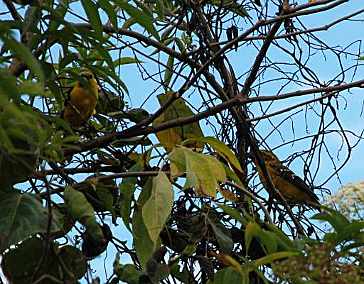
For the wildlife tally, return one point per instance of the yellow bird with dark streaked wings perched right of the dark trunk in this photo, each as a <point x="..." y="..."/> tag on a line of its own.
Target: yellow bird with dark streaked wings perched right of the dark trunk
<point x="291" y="186"/>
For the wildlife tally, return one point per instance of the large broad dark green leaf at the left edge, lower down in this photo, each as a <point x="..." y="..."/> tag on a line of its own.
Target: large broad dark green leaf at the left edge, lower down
<point x="22" y="215"/>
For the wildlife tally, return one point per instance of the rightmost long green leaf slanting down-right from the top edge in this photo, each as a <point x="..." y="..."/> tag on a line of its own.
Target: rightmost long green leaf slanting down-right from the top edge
<point x="141" y="17"/>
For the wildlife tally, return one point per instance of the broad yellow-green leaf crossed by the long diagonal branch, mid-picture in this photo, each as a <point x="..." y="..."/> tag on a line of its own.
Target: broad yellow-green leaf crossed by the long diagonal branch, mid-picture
<point x="169" y="138"/>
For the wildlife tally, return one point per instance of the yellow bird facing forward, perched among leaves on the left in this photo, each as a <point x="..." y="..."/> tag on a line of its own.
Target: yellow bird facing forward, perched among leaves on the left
<point x="81" y="102"/>
